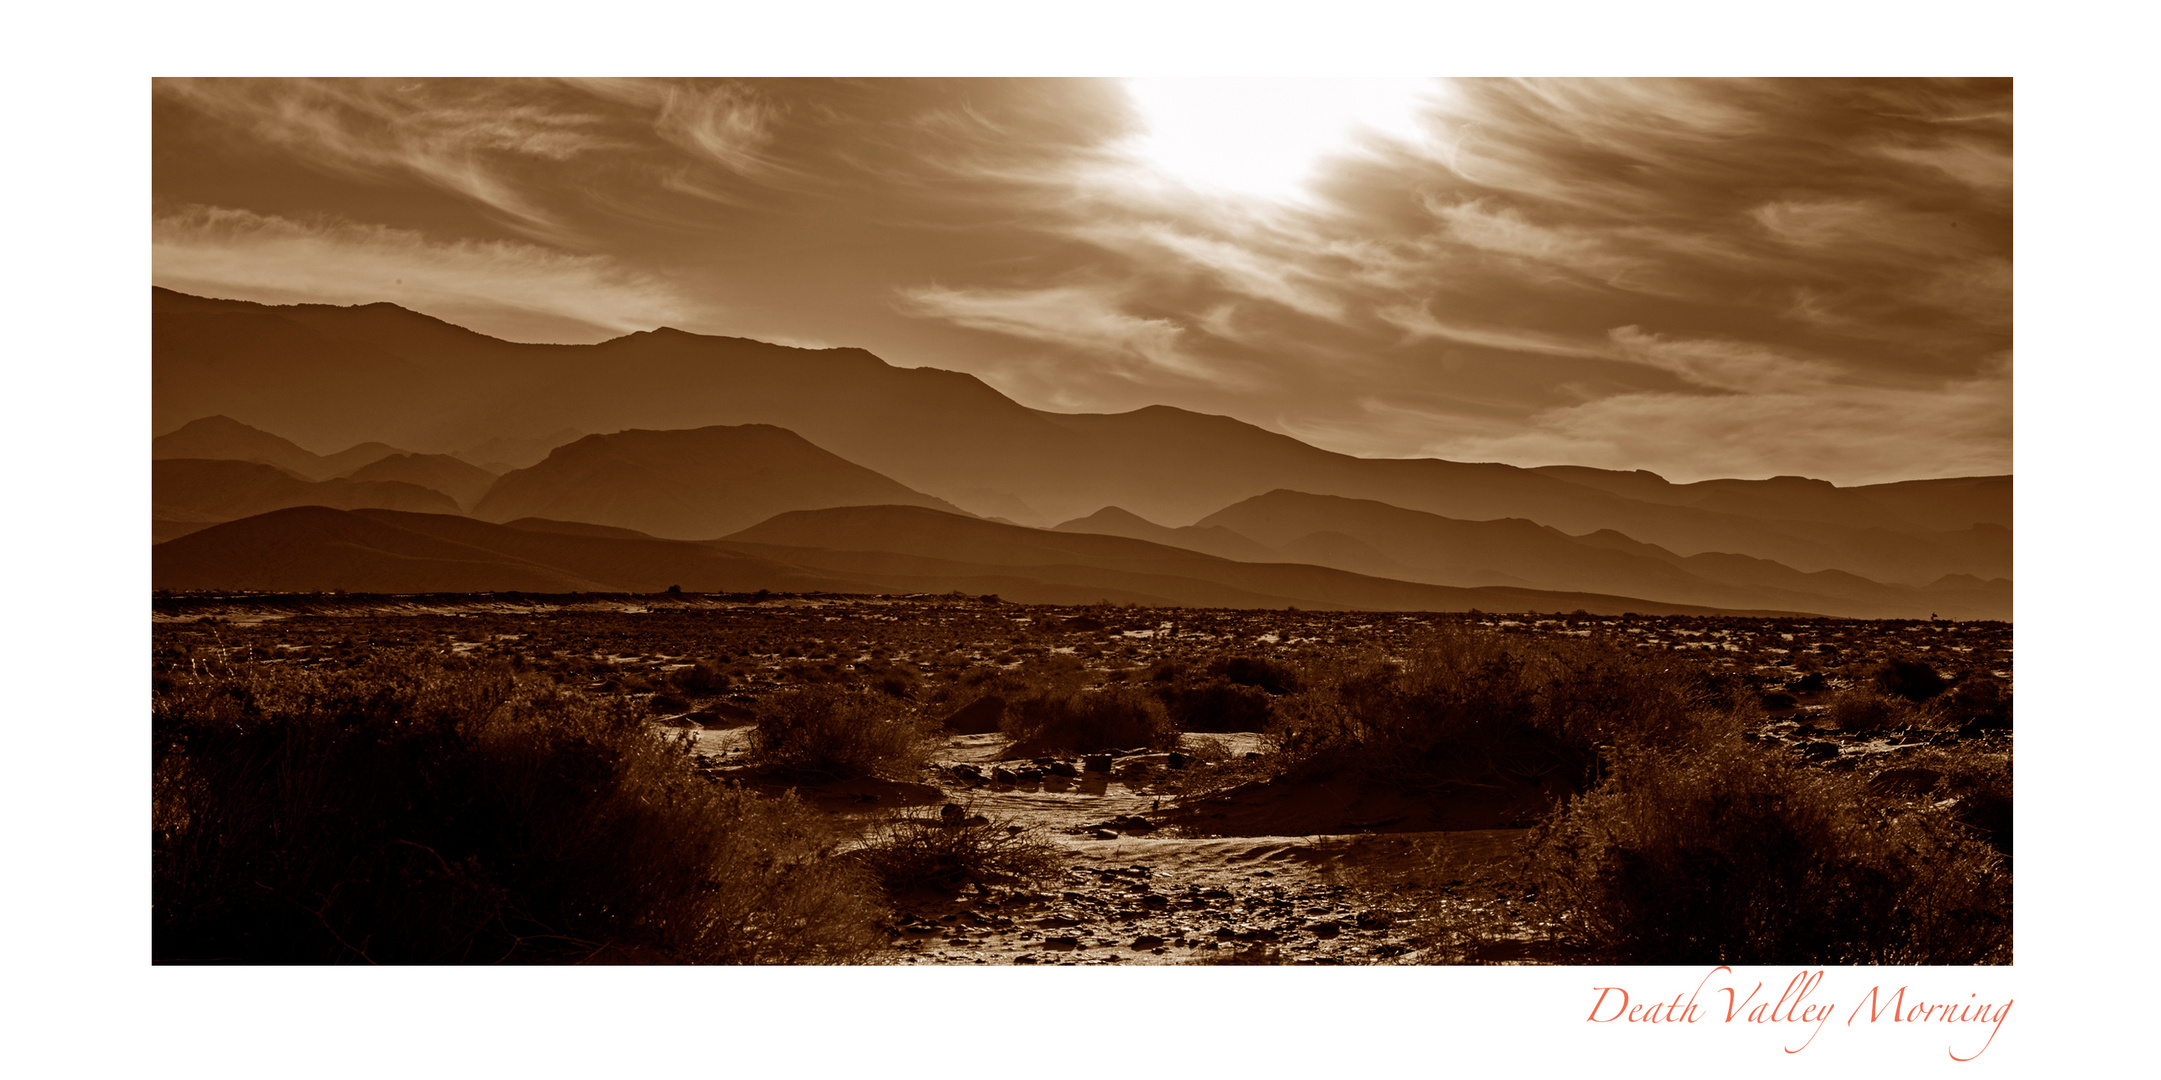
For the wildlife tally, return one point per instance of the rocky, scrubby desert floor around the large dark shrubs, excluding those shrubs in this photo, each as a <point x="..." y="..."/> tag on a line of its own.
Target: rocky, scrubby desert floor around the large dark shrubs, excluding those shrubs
<point x="1198" y="852"/>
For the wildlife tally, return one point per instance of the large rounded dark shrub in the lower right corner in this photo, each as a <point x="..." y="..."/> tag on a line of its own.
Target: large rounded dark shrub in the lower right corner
<point x="1739" y="856"/>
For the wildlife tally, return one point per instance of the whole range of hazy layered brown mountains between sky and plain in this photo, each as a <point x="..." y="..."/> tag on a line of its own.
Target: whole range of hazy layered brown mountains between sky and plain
<point x="712" y="437"/>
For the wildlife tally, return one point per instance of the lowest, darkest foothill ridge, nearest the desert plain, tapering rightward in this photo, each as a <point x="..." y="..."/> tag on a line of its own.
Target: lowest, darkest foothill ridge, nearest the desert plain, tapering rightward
<point x="894" y="550"/>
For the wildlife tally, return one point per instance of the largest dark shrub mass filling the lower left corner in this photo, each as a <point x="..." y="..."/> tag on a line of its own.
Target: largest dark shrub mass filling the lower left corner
<point x="414" y="811"/>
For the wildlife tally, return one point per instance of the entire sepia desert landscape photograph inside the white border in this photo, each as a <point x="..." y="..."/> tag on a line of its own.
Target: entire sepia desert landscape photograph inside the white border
<point x="1082" y="522"/>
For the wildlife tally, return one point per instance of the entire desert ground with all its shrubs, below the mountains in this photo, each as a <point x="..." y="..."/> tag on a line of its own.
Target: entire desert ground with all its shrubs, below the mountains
<point x="1637" y="733"/>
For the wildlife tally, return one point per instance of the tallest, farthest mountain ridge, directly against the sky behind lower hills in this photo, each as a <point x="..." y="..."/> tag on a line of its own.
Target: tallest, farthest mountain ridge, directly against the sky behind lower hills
<point x="381" y="373"/>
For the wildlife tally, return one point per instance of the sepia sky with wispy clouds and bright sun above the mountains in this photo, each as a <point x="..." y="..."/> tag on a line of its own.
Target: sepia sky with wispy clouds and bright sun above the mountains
<point x="1697" y="278"/>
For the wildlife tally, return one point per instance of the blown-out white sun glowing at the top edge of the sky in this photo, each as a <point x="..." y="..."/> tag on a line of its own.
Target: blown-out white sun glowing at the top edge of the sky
<point x="1265" y="137"/>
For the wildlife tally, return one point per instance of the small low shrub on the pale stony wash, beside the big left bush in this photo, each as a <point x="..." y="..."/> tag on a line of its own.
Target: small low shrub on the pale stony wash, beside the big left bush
<point x="924" y="852"/>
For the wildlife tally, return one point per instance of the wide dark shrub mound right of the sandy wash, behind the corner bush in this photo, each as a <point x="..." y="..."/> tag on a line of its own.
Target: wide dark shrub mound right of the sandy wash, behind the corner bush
<point x="1471" y="703"/>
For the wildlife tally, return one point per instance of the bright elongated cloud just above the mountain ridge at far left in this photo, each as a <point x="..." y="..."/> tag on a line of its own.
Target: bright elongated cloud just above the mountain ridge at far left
<point x="489" y="286"/>
